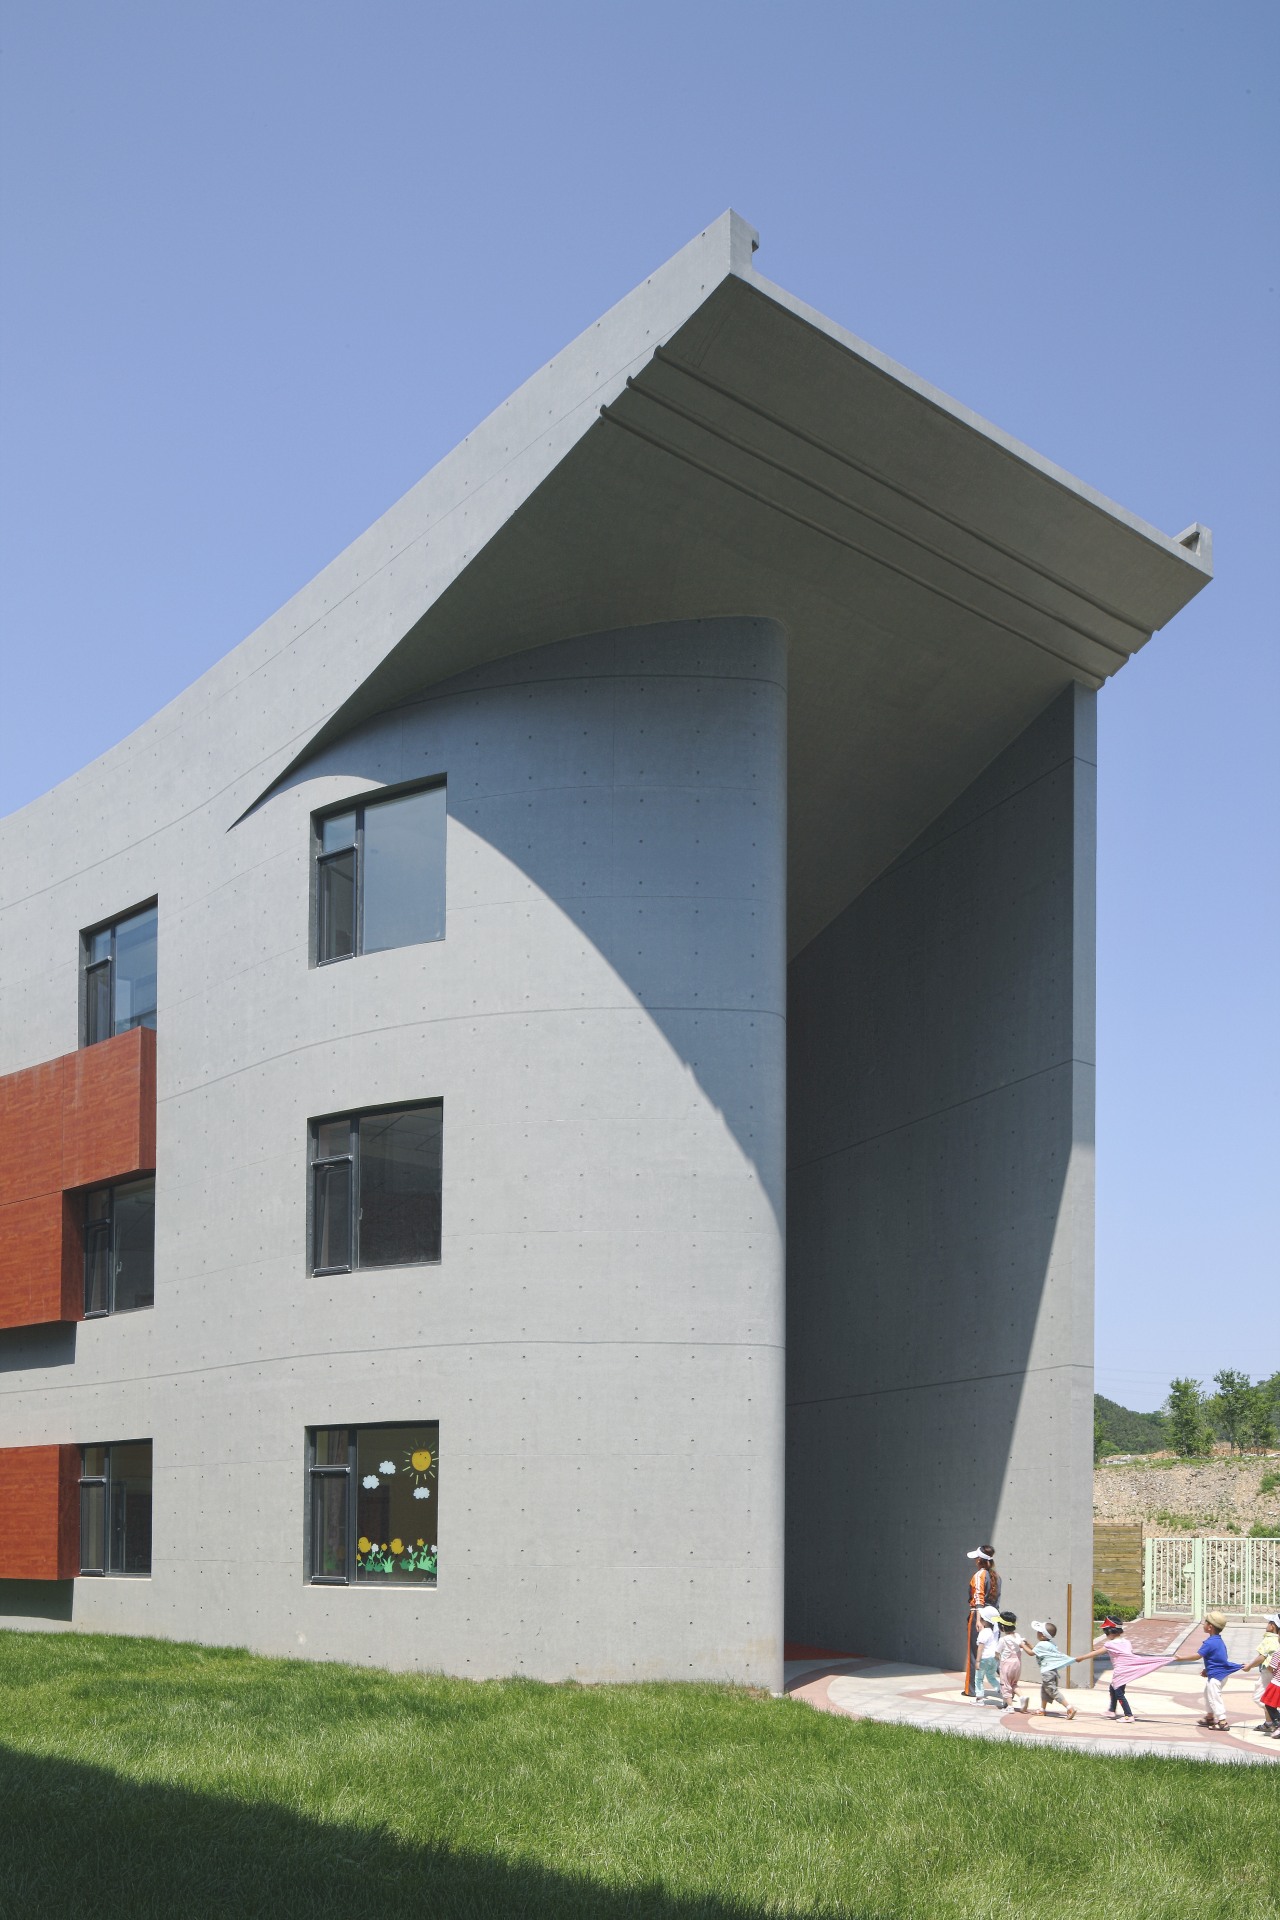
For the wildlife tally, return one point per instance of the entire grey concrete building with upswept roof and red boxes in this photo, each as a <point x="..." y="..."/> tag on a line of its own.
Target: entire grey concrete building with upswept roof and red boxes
<point x="552" y="1093"/>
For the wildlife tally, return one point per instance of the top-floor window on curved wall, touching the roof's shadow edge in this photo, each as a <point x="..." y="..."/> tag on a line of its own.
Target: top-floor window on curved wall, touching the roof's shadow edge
<point x="381" y="876"/>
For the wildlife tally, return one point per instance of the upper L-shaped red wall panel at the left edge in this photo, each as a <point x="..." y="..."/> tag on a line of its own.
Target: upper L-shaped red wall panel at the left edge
<point x="85" y="1120"/>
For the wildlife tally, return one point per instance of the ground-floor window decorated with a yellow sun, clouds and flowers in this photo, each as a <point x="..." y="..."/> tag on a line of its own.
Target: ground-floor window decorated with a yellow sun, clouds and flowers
<point x="373" y="1504"/>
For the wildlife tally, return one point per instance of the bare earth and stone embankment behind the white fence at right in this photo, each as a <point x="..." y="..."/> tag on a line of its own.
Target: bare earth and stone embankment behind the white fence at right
<point x="1198" y="1499"/>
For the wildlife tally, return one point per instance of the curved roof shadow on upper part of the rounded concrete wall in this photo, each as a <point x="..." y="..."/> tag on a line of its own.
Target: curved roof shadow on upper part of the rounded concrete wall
<point x="517" y="782"/>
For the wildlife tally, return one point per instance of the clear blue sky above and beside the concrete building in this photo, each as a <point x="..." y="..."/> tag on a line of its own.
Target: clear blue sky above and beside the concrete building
<point x="262" y="266"/>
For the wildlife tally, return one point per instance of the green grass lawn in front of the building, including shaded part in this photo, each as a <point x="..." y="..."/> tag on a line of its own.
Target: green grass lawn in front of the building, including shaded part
<point x="149" y="1779"/>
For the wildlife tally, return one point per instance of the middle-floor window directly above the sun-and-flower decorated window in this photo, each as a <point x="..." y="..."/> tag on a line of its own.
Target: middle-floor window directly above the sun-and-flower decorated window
<point x="375" y="1189"/>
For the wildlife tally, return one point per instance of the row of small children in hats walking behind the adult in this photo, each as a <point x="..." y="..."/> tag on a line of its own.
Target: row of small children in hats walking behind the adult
<point x="1001" y="1668"/>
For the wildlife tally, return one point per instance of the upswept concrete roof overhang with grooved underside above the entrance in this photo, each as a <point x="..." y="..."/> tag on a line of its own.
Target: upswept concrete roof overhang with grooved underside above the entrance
<point x="713" y="446"/>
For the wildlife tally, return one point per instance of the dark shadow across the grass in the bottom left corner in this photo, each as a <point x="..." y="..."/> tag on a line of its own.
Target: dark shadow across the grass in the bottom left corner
<point x="87" y="1842"/>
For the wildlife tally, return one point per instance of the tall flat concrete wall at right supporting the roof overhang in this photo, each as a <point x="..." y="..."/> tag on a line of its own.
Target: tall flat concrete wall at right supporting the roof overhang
<point x="941" y="1220"/>
